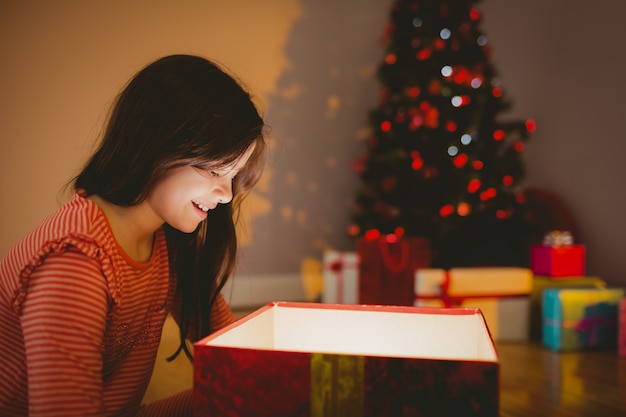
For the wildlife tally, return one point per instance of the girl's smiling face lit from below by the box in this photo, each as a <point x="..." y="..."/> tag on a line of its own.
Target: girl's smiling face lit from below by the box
<point x="183" y="197"/>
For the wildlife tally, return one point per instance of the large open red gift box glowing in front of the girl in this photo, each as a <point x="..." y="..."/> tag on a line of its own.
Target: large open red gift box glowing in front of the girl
<point x="303" y="359"/>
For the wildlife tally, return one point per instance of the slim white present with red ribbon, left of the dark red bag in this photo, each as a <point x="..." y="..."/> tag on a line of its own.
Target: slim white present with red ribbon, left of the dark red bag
<point x="341" y="277"/>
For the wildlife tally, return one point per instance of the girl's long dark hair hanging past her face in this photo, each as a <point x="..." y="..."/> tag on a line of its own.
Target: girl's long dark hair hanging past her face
<point x="182" y="110"/>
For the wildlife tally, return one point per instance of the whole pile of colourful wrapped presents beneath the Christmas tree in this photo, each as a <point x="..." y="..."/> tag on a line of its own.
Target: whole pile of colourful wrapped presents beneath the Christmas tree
<point x="553" y="302"/>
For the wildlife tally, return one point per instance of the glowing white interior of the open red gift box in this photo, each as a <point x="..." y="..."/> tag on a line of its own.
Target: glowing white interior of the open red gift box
<point x="416" y="333"/>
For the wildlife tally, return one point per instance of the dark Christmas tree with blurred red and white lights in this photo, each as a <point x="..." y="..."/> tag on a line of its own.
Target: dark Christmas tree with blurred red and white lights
<point x="441" y="162"/>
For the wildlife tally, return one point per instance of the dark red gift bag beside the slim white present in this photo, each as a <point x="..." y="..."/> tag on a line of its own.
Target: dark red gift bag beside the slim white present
<point x="387" y="268"/>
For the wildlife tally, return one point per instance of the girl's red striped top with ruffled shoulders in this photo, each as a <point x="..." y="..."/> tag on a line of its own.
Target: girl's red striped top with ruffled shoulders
<point x="80" y="320"/>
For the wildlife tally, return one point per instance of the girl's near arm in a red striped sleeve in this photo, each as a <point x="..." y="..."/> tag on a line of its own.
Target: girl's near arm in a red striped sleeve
<point x="63" y="320"/>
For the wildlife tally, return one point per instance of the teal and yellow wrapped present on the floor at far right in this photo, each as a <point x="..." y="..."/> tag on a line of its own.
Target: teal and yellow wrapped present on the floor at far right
<point x="581" y="318"/>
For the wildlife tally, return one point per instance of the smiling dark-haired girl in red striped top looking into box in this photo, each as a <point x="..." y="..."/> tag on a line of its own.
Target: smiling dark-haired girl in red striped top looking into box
<point x="150" y="230"/>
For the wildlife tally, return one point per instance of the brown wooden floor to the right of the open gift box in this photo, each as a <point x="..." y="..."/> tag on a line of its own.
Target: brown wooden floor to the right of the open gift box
<point x="537" y="382"/>
